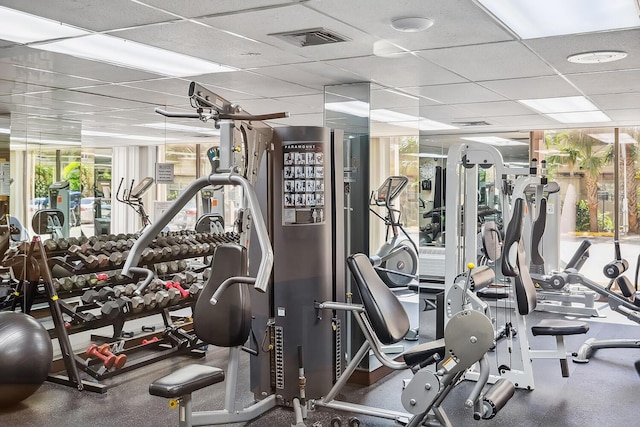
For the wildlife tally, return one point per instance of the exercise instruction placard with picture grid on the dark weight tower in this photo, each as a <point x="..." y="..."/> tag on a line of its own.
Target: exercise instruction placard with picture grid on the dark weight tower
<point x="303" y="186"/>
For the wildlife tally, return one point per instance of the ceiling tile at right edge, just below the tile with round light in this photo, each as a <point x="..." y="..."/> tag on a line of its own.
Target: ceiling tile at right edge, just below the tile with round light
<point x="607" y="82"/>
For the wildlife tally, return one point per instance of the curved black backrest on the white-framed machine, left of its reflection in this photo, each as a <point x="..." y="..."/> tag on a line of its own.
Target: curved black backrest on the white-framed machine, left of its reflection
<point x="525" y="290"/>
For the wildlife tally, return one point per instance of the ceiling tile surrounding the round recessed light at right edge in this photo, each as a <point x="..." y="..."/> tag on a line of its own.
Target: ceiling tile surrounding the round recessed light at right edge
<point x="555" y="50"/>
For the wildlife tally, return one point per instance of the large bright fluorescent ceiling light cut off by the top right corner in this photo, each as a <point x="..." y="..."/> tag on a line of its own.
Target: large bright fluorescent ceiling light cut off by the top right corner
<point x="545" y="18"/>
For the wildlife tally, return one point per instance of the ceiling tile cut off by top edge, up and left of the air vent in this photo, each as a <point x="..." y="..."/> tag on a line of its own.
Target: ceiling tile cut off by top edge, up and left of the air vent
<point x="191" y="9"/>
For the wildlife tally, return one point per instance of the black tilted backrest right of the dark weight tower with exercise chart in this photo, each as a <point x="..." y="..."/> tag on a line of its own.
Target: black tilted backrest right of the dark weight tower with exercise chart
<point x="385" y="312"/>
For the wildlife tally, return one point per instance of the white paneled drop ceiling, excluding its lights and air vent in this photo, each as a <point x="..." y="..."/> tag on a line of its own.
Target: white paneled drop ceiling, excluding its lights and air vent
<point x="468" y="67"/>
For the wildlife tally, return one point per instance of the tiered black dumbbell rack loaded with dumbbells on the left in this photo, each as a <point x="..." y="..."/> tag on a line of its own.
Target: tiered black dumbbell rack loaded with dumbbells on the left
<point x="37" y="281"/>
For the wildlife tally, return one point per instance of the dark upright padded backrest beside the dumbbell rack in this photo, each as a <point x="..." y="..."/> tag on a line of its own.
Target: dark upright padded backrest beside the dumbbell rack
<point x="228" y="323"/>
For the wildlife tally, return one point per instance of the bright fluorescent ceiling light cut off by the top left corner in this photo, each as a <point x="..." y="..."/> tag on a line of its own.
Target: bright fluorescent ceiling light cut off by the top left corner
<point x="20" y="27"/>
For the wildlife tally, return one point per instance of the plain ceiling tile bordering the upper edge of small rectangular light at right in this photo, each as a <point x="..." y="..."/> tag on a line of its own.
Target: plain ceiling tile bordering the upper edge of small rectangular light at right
<point x="532" y="87"/>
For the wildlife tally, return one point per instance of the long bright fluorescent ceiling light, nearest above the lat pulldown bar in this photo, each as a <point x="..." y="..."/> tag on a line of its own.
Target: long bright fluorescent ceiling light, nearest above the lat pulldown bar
<point x="127" y="53"/>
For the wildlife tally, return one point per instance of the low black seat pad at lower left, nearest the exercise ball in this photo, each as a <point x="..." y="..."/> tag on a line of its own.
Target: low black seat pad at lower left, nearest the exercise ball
<point x="186" y="380"/>
